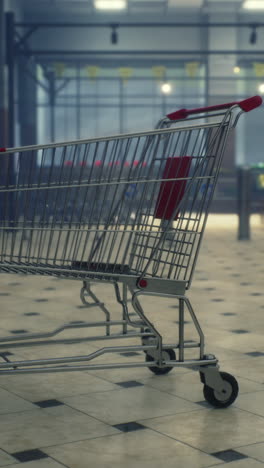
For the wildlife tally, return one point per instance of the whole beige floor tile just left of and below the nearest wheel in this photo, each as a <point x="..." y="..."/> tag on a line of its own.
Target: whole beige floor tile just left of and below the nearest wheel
<point x="129" y="404"/>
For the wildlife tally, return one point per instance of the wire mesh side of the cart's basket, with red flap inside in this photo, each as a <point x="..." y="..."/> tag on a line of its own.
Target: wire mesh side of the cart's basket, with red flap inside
<point x="97" y="206"/>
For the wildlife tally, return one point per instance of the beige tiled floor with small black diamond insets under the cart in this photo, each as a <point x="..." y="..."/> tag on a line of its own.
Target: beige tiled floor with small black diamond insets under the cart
<point x="130" y="417"/>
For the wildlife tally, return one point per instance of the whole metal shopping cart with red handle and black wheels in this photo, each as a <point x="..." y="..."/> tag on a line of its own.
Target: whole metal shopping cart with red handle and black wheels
<point x="129" y="210"/>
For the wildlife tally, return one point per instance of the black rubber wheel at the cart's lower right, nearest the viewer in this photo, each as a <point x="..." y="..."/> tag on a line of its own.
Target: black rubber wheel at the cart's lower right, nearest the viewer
<point x="225" y="398"/>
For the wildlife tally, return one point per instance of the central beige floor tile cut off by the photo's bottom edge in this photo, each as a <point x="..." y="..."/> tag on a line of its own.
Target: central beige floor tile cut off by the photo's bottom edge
<point x="141" y="448"/>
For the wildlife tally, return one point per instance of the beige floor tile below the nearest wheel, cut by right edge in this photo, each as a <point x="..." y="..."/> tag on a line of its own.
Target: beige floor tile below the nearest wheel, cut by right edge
<point x="211" y="430"/>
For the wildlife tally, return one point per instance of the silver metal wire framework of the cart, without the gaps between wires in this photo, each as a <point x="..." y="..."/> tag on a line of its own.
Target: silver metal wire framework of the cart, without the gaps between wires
<point x="220" y="389"/>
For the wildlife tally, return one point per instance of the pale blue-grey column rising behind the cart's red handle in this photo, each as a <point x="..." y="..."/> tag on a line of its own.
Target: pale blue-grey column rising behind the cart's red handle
<point x="222" y="88"/>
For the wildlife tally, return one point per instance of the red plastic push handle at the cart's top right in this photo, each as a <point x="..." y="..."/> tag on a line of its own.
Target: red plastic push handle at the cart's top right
<point x="246" y="105"/>
